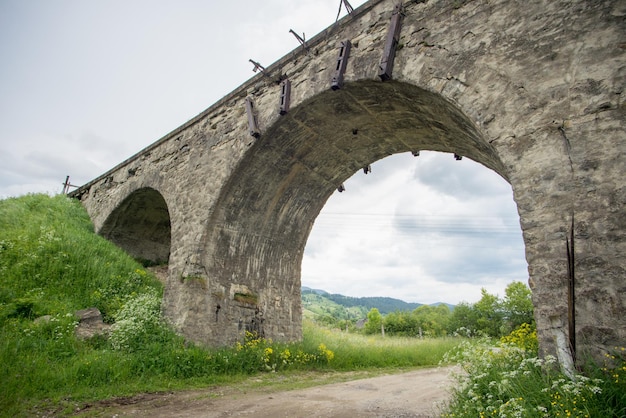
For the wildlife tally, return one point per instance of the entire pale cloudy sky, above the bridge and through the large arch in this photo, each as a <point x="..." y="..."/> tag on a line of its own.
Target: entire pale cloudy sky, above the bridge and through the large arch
<point x="86" y="84"/>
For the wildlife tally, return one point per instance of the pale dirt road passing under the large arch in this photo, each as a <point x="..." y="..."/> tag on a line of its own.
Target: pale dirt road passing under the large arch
<point x="414" y="394"/>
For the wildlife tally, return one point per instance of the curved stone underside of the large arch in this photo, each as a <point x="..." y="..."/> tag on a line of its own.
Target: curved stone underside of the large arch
<point x="259" y="229"/>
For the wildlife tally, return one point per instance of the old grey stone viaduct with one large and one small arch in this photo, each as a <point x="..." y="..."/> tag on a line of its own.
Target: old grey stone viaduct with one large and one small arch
<point x="533" y="90"/>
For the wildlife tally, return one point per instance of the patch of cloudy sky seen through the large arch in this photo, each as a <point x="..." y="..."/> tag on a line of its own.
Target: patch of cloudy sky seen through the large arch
<point x="427" y="229"/>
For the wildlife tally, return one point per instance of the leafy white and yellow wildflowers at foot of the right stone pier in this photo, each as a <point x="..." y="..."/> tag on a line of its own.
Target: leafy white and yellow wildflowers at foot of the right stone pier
<point x="508" y="380"/>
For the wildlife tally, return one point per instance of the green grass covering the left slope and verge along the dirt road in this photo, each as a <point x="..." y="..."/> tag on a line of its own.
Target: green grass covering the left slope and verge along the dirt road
<point x="51" y="263"/>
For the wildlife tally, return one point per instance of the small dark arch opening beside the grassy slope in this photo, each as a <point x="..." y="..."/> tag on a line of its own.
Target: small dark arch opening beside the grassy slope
<point x="141" y="226"/>
